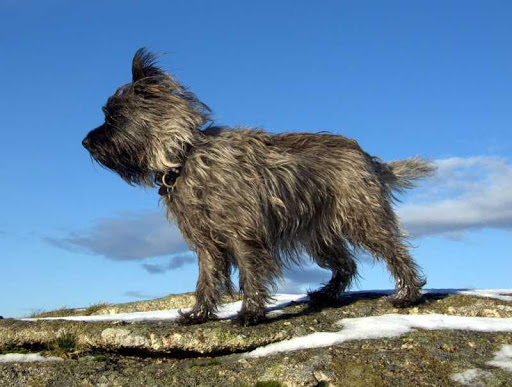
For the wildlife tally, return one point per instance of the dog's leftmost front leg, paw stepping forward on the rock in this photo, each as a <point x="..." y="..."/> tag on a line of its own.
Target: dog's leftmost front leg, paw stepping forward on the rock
<point x="208" y="288"/>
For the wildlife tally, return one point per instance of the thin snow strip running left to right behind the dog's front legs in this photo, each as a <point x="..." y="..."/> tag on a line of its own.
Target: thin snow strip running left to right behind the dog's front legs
<point x="225" y="311"/>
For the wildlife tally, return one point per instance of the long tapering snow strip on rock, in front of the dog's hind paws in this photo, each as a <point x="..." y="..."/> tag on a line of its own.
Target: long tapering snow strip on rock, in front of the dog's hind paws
<point x="390" y="325"/>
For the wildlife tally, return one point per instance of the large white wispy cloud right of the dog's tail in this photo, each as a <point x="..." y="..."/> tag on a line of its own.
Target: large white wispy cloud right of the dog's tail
<point x="466" y="194"/>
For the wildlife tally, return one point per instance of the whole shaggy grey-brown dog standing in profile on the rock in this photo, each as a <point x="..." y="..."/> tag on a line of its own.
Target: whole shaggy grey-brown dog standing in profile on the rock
<point x="256" y="201"/>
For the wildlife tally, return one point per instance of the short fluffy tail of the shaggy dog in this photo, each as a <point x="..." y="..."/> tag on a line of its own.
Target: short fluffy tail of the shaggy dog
<point x="401" y="175"/>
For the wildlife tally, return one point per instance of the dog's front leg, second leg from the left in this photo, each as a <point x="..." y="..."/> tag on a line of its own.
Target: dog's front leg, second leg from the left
<point x="257" y="271"/>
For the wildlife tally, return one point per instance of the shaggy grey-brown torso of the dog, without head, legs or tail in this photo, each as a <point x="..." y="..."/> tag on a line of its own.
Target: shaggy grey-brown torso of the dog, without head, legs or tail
<point x="283" y="188"/>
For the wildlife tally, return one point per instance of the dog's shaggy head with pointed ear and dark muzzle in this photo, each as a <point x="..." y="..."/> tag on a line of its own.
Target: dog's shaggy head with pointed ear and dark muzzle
<point x="149" y="124"/>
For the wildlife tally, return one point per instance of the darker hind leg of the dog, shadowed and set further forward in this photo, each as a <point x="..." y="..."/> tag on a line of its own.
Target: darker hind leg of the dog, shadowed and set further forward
<point x="339" y="259"/>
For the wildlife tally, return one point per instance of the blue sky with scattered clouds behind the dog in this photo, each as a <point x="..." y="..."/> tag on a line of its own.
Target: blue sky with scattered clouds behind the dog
<point x="403" y="78"/>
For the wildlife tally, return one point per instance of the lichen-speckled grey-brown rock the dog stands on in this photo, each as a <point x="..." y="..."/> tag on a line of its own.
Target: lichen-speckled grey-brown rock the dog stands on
<point x="165" y="354"/>
